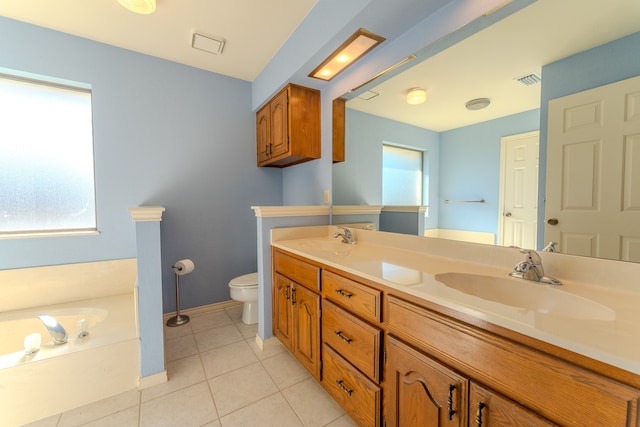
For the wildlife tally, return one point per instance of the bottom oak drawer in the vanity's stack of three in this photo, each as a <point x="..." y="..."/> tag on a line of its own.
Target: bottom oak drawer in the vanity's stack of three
<point x="358" y="396"/>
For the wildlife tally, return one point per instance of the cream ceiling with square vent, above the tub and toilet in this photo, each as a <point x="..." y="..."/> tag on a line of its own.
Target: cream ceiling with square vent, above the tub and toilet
<point x="254" y="30"/>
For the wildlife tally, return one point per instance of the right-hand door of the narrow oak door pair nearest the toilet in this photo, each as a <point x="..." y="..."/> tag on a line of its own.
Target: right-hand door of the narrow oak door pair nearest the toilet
<point x="306" y="312"/>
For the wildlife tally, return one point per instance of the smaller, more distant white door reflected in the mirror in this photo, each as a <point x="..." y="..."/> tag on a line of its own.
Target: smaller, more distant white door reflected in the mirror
<point x="519" y="158"/>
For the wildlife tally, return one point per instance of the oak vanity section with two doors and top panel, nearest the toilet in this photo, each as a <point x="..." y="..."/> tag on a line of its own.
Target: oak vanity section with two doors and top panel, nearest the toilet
<point x="296" y="309"/>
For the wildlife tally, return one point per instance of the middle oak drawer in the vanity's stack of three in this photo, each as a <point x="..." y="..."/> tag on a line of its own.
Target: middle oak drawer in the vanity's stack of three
<point x="354" y="339"/>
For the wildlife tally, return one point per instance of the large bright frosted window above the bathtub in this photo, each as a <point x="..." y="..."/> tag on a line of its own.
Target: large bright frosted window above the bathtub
<point x="46" y="158"/>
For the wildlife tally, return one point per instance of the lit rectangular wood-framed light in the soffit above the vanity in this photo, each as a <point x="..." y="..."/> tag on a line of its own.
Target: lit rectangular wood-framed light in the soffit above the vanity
<point x="356" y="46"/>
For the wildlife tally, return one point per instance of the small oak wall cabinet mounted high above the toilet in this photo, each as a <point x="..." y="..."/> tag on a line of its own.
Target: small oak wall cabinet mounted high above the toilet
<point x="288" y="127"/>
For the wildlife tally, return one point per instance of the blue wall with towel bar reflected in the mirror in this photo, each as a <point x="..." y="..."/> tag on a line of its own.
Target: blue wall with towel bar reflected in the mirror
<point x="470" y="170"/>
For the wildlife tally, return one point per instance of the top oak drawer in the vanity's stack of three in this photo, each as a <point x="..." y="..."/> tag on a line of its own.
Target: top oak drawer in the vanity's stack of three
<point x="358" y="298"/>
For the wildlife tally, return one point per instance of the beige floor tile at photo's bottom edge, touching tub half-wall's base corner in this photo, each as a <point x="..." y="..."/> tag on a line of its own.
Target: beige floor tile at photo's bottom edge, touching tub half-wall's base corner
<point x="188" y="407"/>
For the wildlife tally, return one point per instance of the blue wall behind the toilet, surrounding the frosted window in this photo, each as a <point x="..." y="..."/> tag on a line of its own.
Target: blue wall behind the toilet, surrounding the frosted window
<point x="164" y="134"/>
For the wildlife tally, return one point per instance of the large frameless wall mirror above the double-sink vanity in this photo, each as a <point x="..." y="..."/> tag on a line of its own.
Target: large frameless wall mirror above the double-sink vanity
<point x="486" y="169"/>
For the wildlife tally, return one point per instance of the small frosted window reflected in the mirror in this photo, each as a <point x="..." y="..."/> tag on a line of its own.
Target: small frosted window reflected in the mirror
<point x="402" y="176"/>
